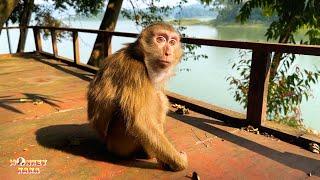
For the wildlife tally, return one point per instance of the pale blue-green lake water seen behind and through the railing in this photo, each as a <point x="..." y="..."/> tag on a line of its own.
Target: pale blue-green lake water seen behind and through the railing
<point x="207" y="79"/>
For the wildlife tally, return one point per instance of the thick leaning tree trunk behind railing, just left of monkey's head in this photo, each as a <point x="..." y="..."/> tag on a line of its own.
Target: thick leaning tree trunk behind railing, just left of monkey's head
<point x="102" y="45"/>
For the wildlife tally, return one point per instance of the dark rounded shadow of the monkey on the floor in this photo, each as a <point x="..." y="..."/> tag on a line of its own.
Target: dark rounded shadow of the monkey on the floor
<point x="81" y="140"/>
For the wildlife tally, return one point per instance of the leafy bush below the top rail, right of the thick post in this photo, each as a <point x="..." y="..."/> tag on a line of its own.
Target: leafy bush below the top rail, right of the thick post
<point x="288" y="89"/>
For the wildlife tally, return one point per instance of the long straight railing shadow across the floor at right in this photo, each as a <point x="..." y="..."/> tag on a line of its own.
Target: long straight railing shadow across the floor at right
<point x="289" y="159"/>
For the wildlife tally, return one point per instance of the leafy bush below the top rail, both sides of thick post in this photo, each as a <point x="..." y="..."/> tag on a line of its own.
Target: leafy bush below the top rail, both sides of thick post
<point x="286" y="92"/>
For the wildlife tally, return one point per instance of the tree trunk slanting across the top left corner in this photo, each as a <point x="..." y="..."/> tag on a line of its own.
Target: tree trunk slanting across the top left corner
<point x="6" y="8"/>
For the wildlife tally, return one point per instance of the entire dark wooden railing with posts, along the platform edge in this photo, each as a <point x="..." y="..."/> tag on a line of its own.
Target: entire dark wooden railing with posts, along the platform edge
<point x="259" y="74"/>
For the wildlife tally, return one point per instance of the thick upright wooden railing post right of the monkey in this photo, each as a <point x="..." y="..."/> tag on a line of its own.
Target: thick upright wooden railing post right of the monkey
<point x="258" y="87"/>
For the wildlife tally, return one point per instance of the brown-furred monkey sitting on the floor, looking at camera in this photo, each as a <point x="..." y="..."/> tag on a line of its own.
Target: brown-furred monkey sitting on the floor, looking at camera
<point x="127" y="105"/>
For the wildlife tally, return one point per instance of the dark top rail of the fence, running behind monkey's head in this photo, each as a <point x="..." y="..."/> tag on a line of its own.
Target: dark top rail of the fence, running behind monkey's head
<point x="270" y="47"/>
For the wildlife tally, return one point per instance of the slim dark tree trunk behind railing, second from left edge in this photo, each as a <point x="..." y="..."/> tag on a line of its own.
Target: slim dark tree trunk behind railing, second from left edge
<point x="24" y="21"/>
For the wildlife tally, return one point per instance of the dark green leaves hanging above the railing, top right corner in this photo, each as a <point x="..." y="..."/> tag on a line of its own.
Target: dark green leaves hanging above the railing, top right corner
<point x="292" y="16"/>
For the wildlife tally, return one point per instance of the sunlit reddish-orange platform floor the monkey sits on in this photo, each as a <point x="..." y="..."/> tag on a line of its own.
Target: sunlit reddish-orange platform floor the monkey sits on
<point x="43" y="117"/>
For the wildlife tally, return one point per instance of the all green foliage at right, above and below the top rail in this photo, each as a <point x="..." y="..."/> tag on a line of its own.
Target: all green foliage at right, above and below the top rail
<point x="288" y="84"/>
